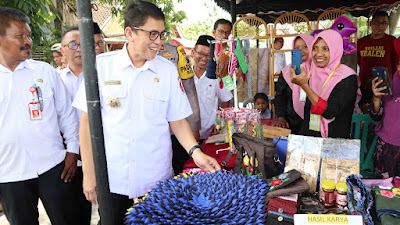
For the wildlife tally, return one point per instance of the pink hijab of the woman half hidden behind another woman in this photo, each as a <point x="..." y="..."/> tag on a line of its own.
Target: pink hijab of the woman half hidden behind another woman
<point x="297" y="104"/>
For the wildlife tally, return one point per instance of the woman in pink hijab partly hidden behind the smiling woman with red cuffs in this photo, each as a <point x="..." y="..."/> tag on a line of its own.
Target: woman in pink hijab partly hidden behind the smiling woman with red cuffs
<point x="288" y="106"/>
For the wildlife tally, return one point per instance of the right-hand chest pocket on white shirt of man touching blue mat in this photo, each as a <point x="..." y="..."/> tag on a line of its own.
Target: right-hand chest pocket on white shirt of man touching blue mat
<point x="156" y="101"/>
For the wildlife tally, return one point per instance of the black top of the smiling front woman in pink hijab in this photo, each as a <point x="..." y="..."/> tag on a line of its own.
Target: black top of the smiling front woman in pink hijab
<point x="341" y="104"/>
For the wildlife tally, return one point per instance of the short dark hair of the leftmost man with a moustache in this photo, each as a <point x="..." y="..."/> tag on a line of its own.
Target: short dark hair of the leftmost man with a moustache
<point x="7" y="15"/>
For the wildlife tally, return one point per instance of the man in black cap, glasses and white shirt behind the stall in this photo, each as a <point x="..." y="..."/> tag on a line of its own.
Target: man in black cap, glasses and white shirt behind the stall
<point x="208" y="90"/>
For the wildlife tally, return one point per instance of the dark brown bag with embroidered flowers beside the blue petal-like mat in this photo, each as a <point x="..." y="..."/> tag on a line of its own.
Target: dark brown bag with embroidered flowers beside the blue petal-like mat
<point x="255" y="156"/>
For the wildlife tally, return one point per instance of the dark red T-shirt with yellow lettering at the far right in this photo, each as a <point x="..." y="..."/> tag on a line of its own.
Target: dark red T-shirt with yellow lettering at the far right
<point x="376" y="52"/>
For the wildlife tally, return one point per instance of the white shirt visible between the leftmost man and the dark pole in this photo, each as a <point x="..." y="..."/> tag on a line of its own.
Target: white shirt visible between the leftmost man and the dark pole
<point x="72" y="84"/>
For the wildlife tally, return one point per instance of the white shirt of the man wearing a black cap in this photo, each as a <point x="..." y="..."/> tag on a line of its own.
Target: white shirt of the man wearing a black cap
<point x="208" y="92"/>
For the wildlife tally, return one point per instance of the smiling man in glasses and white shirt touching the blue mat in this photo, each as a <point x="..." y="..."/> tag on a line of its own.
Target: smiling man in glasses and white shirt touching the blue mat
<point x="141" y="99"/>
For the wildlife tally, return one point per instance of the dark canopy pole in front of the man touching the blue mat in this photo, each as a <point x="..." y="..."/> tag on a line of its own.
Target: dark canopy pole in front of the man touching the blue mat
<point x="93" y="103"/>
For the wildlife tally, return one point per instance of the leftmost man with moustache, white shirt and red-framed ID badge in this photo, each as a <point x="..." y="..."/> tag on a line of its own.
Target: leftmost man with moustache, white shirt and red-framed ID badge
<point x="35" y="108"/>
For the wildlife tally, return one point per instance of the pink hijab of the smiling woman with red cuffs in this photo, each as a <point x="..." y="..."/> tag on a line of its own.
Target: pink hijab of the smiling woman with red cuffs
<point x="319" y="75"/>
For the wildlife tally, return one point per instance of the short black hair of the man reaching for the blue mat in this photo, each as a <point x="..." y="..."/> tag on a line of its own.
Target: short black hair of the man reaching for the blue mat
<point x="138" y="12"/>
